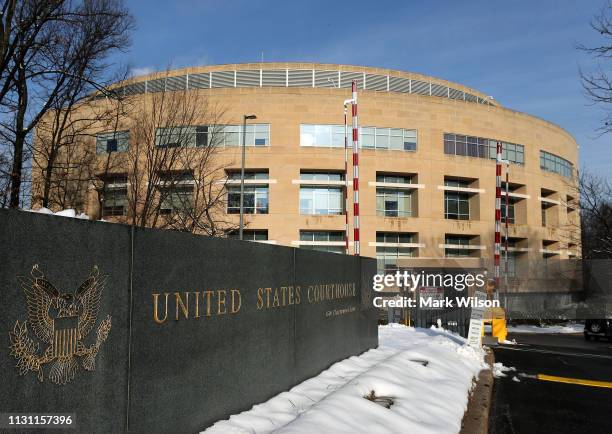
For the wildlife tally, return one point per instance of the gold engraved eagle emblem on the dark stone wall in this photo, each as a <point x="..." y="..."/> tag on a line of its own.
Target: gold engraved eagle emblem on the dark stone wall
<point x="62" y="320"/>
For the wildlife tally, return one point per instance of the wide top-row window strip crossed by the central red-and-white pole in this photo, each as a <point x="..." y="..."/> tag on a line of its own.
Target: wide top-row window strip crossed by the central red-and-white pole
<point x="395" y="139"/>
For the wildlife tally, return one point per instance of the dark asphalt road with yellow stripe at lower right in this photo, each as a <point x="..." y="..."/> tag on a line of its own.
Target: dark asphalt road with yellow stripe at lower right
<point x="537" y="406"/>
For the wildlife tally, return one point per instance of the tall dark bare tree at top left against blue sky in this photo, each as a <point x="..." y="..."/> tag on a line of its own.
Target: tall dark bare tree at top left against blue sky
<point x="51" y="51"/>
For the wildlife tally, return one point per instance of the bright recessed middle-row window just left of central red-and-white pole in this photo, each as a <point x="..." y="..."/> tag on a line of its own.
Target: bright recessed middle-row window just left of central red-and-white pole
<point x="323" y="199"/>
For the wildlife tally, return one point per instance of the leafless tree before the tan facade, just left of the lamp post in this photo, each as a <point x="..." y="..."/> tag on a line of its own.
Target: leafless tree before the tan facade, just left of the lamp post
<point x="175" y="174"/>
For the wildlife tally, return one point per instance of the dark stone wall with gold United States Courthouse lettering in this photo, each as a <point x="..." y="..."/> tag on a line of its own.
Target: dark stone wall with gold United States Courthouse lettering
<point x="200" y="328"/>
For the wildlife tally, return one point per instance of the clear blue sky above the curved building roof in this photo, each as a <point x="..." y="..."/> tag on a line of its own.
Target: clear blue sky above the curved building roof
<point x="521" y="52"/>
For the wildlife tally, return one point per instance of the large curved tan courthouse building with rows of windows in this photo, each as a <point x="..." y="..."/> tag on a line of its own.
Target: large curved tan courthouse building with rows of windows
<point x="427" y="169"/>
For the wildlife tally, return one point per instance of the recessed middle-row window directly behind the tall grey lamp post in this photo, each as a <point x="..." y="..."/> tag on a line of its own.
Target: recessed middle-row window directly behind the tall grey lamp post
<point x="256" y="196"/>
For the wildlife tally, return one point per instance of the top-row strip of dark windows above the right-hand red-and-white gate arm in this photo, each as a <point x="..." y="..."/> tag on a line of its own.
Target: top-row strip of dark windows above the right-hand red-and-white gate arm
<point x="479" y="147"/>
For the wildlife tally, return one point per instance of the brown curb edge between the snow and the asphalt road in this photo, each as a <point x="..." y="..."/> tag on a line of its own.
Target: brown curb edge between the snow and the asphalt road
<point x="476" y="417"/>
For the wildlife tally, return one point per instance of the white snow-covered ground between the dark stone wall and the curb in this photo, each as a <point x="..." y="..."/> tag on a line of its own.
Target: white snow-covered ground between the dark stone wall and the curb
<point x="427" y="372"/>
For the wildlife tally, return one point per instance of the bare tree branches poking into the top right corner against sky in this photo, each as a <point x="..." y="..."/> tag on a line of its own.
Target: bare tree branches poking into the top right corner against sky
<point x="598" y="84"/>
